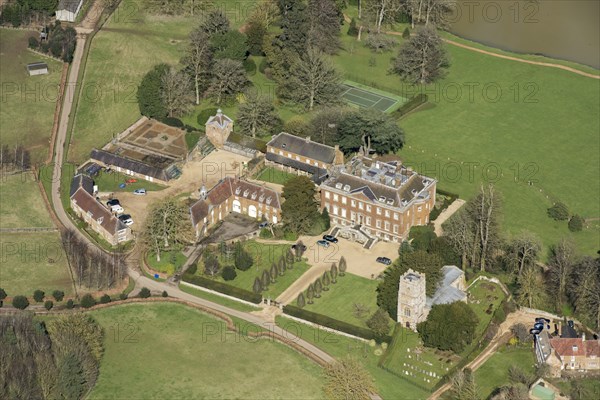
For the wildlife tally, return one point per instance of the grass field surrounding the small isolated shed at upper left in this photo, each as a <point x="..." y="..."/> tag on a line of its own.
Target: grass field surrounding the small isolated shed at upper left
<point x="28" y="102"/>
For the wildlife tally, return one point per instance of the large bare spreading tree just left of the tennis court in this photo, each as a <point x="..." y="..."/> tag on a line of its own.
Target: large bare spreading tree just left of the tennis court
<point x="313" y="80"/>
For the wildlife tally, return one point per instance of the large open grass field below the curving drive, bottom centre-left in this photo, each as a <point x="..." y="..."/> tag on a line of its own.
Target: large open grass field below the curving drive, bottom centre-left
<point x="158" y="351"/>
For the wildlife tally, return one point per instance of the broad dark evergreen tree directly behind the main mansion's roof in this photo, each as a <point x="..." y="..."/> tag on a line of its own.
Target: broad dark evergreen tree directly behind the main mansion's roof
<point x="370" y="128"/>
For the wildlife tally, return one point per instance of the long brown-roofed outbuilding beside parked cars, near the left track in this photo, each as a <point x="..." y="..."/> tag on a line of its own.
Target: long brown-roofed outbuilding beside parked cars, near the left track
<point x="98" y="217"/>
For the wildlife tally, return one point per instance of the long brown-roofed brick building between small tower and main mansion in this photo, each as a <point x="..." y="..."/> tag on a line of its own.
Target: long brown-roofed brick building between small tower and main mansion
<point x="302" y="156"/>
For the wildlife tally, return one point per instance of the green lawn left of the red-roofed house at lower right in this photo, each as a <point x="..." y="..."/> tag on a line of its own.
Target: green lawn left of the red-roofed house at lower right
<point x="494" y="372"/>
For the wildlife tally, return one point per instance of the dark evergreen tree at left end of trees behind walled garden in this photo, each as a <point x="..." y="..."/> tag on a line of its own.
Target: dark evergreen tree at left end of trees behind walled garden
<point x="149" y="93"/>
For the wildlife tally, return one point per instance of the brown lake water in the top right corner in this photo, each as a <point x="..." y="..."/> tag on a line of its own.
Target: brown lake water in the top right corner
<point x="563" y="29"/>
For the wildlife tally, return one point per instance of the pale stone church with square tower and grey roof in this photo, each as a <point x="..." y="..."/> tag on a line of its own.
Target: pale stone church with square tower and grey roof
<point x="414" y="305"/>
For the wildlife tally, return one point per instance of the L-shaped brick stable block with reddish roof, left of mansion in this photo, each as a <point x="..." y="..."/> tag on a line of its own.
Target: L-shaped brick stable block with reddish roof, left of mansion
<point x="234" y="195"/>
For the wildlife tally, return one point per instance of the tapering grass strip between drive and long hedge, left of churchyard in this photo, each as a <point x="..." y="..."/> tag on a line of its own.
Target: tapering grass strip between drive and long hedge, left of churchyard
<point x="388" y="385"/>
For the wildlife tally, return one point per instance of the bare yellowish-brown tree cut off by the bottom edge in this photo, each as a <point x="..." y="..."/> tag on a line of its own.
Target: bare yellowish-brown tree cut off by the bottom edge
<point x="347" y="379"/>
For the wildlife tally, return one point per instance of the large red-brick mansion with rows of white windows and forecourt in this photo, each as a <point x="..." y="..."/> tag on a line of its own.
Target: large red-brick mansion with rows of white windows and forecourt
<point x="370" y="200"/>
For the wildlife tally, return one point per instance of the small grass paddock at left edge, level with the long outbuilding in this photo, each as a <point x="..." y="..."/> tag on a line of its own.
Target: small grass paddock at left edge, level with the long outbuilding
<point x="21" y="203"/>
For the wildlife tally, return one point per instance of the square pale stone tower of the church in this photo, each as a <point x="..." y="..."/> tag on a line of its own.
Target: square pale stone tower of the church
<point x="411" y="299"/>
